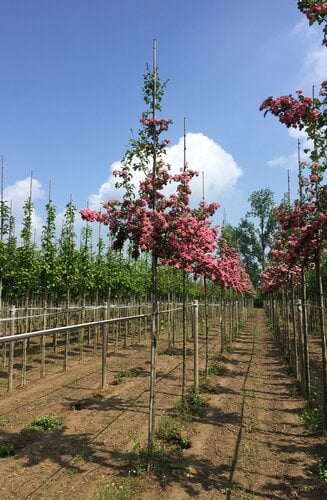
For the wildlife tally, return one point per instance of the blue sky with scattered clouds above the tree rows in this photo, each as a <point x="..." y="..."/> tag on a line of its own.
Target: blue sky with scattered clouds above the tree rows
<point x="70" y="92"/>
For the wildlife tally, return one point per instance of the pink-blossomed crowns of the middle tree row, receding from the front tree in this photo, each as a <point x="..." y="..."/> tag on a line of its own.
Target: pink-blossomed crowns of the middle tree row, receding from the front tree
<point x="166" y="225"/>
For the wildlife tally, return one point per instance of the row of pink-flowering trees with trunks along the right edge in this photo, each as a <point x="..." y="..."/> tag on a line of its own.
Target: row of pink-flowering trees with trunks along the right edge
<point x="297" y="267"/>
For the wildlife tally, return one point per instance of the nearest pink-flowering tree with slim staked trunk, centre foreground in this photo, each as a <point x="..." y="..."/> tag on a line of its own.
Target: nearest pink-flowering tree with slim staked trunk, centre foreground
<point x="152" y="221"/>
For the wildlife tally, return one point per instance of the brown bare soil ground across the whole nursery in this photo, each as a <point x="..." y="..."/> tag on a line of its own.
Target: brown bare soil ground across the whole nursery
<point x="248" y="442"/>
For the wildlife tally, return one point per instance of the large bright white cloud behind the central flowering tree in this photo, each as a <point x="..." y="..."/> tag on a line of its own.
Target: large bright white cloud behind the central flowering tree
<point x="221" y="172"/>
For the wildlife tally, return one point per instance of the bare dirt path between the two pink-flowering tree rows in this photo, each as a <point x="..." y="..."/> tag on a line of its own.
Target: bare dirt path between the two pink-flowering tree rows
<point x="251" y="443"/>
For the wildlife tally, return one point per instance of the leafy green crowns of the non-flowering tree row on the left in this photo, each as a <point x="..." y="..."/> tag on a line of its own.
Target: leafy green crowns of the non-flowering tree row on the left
<point x="60" y="268"/>
